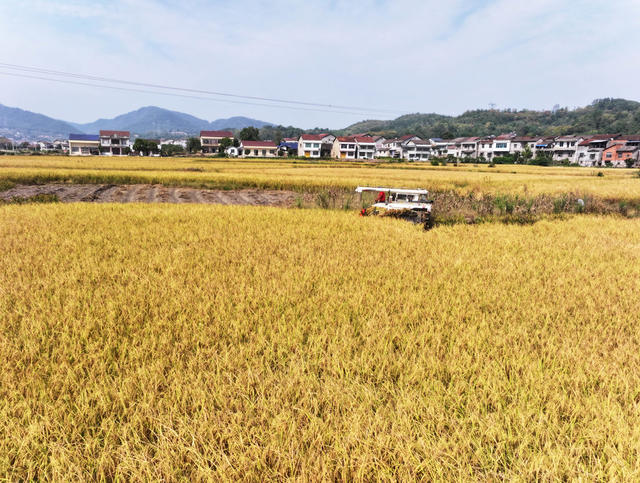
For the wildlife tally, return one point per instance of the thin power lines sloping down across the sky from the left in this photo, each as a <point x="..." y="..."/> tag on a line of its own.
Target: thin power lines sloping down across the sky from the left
<point x="44" y="71"/>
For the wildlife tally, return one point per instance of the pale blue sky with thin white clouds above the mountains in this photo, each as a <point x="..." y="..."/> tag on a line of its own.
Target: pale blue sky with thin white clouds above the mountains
<point x="381" y="58"/>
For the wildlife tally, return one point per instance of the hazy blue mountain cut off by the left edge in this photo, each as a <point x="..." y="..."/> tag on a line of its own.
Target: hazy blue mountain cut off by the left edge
<point x="19" y="124"/>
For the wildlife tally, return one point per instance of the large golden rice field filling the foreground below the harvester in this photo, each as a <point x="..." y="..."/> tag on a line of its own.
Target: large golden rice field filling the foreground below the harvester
<point x="208" y="342"/>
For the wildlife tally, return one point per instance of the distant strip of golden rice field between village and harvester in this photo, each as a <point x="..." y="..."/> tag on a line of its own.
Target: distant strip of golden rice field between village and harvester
<point x="304" y="176"/>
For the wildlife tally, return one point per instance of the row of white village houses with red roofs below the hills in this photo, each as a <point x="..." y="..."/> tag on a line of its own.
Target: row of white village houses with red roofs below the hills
<point x="605" y="150"/>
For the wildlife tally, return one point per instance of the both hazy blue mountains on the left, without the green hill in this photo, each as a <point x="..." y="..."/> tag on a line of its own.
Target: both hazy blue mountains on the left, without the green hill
<point x="147" y="121"/>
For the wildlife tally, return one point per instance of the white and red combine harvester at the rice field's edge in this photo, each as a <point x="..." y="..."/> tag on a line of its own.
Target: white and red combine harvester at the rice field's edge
<point x="408" y="204"/>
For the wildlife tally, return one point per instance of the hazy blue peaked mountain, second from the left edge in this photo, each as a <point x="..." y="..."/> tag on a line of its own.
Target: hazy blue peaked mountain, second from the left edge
<point x="155" y="121"/>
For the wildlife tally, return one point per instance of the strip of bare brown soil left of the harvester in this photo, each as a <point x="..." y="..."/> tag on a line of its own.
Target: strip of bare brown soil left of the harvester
<point x="106" y="193"/>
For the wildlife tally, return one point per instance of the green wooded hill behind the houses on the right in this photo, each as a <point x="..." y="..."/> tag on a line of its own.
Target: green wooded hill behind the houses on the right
<point x="603" y="115"/>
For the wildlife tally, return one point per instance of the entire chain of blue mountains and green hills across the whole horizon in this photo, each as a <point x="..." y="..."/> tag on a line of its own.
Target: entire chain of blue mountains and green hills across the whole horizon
<point x="601" y="116"/>
